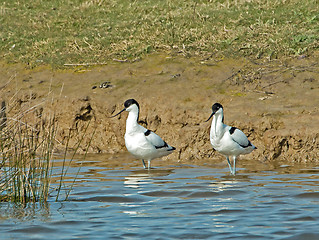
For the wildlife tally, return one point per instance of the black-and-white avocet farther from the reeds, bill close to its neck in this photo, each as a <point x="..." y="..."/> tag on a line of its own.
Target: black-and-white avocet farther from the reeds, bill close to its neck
<point x="229" y="141"/>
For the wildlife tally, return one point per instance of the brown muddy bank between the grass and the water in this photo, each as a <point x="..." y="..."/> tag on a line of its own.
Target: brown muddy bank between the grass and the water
<point x="275" y="103"/>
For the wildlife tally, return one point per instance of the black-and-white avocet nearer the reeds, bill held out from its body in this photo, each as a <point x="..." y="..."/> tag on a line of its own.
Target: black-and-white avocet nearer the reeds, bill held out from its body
<point x="139" y="141"/>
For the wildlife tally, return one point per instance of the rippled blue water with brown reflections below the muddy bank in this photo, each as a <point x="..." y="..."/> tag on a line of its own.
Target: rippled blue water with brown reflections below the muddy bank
<point x="174" y="202"/>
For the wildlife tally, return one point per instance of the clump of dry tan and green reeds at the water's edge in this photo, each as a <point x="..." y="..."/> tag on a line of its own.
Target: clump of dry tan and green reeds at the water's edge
<point x="26" y="157"/>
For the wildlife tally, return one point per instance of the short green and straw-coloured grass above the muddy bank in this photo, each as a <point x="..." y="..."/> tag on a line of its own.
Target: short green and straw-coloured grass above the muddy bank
<point x="95" y="31"/>
